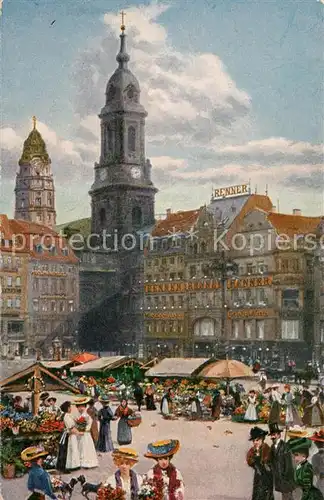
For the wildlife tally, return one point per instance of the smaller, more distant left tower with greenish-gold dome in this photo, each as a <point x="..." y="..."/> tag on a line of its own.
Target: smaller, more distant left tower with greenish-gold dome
<point x="34" y="191"/>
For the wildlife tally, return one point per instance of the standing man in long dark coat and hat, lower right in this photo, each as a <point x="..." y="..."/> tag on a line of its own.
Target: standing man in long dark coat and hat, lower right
<point x="281" y="464"/>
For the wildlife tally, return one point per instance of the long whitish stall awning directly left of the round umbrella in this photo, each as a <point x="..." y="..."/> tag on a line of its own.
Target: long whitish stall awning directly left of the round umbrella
<point x="177" y="367"/>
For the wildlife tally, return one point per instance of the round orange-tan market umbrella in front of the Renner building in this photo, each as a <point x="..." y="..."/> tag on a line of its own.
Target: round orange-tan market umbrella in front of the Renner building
<point x="226" y="369"/>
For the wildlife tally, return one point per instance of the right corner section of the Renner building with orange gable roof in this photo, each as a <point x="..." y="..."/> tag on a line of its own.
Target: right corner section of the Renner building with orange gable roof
<point x="271" y="304"/>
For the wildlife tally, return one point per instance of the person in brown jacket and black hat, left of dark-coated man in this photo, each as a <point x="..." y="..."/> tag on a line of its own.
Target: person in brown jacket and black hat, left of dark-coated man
<point x="258" y="457"/>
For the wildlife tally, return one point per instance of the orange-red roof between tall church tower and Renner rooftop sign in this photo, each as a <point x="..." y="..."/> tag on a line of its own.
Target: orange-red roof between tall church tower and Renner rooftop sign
<point x="179" y="222"/>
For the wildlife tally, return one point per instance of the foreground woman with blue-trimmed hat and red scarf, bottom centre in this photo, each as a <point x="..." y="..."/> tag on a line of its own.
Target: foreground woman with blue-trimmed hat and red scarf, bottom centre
<point x="162" y="452"/>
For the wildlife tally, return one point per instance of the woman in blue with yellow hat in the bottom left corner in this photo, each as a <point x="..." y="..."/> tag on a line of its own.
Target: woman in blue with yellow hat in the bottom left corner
<point x="39" y="482"/>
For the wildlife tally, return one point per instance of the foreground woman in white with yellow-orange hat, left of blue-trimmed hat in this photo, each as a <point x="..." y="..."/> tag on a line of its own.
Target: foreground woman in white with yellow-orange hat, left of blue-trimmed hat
<point x="125" y="477"/>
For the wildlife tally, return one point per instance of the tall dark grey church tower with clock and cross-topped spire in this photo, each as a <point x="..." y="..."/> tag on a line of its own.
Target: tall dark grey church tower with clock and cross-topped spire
<point x="122" y="195"/>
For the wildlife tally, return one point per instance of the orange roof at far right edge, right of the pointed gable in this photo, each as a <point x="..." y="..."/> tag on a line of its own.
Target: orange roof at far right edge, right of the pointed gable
<point x="294" y="224"/>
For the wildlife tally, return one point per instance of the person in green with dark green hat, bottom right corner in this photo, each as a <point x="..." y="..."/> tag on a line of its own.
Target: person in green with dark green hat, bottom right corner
<point x="304" y="474"/>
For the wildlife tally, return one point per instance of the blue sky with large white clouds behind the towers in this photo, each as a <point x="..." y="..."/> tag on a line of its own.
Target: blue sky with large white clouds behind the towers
<point x="233" y="91"/>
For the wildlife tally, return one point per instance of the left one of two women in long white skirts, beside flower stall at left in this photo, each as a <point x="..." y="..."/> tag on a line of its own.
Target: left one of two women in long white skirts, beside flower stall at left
<point x="72" y="454"/>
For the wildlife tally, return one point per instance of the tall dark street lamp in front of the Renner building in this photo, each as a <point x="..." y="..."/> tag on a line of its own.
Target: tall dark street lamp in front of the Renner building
<point x="224" y="268"/>
